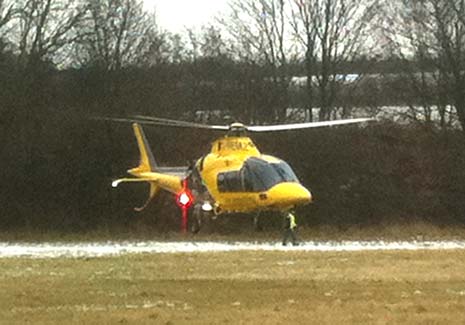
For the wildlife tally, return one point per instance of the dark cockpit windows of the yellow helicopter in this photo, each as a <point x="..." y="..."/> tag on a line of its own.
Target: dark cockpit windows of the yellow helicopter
<point x="256" y="175"/>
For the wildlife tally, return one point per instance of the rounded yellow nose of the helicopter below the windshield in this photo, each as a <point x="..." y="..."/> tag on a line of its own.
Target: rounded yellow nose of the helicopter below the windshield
<point x="288" y="194"/>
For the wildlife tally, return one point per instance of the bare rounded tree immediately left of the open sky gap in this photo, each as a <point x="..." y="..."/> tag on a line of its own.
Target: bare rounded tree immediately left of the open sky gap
<point x="116" y="33"/>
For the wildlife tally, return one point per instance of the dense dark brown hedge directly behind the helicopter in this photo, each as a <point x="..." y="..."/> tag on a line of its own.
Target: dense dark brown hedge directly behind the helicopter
<point x="382" y="173"/>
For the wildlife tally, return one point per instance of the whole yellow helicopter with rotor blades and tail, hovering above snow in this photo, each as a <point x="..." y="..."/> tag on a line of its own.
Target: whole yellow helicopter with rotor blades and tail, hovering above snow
<point x="233" y="177"/>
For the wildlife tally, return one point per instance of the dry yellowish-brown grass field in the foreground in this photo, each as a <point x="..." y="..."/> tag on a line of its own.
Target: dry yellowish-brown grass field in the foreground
<point x="251" y="287"/>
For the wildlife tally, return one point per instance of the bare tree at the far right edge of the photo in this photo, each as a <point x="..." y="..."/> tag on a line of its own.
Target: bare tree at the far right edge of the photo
<point x="430" y="34"/>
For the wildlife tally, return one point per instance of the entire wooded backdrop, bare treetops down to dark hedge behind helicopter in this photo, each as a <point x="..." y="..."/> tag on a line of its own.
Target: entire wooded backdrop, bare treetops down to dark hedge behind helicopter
<point x="64" y="64"/>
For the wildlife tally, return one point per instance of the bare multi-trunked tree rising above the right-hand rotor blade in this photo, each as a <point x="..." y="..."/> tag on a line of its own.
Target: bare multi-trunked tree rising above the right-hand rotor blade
<point x="331" y="32"/>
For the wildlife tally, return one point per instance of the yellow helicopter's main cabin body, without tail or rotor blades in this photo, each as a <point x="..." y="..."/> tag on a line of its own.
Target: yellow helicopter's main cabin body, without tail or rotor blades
<point x="241" y="179"/>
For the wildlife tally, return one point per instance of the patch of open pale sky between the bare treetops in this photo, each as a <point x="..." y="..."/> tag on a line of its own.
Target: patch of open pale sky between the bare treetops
<point x="175" y="15"/>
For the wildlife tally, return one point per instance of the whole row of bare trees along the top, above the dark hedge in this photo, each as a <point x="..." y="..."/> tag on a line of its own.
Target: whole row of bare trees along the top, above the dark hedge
<point x="314" y="39"/>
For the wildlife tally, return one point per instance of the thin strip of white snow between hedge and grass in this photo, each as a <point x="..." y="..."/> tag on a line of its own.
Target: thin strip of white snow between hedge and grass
<point x="96" y="249"/>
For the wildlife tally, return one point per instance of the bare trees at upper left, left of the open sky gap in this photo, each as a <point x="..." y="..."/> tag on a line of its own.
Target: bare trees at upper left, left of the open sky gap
<point x="111" y="34"/>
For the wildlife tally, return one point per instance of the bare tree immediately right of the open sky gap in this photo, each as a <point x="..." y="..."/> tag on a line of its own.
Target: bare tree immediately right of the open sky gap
<point x="259" y="31"/>
